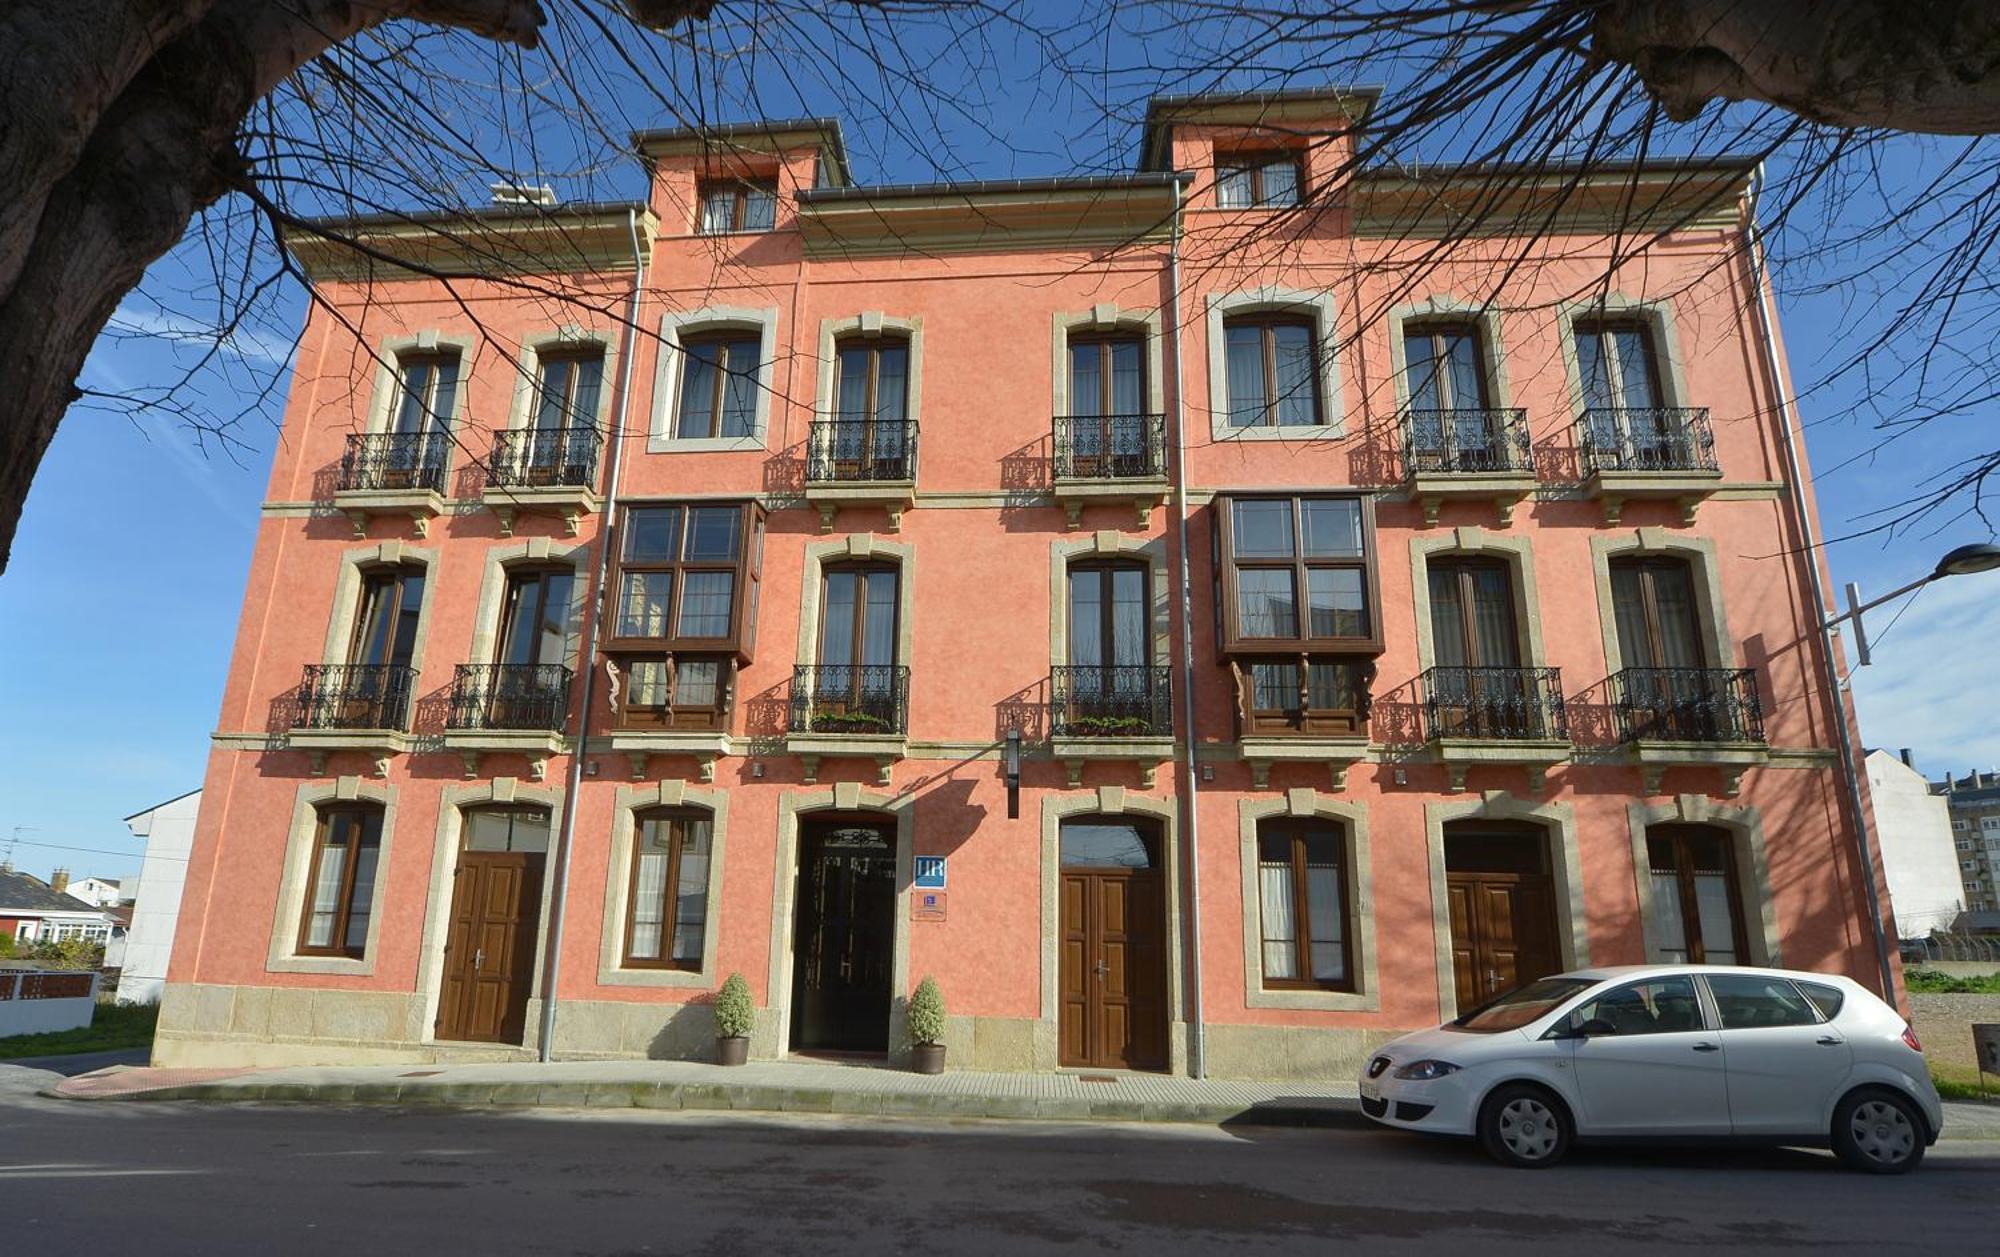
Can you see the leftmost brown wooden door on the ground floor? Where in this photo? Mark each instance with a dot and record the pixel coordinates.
(489, 952)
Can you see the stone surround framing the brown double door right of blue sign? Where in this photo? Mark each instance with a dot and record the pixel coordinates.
(1109, 802)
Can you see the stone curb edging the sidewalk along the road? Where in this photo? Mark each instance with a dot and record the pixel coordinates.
(751, 1100)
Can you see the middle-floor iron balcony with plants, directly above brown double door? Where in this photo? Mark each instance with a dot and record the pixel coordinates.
(1111, 714)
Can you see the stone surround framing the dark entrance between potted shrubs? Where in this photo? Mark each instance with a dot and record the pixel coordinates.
(841, 798)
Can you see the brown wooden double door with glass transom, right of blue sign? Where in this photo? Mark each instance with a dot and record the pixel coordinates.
(1113, 962)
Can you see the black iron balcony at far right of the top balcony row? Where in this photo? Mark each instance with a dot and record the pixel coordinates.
(1649, 453)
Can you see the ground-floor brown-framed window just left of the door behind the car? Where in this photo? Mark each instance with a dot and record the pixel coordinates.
(1305, 908)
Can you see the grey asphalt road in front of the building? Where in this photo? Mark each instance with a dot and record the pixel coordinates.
(167, 1180)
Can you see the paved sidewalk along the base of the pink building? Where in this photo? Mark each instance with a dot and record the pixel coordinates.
(765, 1086)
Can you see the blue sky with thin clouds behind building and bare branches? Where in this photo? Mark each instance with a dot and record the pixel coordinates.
(119, 609)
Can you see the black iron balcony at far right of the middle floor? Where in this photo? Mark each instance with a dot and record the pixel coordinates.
(1699, 718)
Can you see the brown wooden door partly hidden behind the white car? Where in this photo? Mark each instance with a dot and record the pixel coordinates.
(1503, 912)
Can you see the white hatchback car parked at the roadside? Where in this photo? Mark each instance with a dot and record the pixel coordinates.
(1667, 1052)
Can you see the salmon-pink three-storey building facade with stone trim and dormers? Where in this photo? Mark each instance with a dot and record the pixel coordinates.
(1135, 601)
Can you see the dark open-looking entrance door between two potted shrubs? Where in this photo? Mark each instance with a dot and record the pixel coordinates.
(845, 938)
